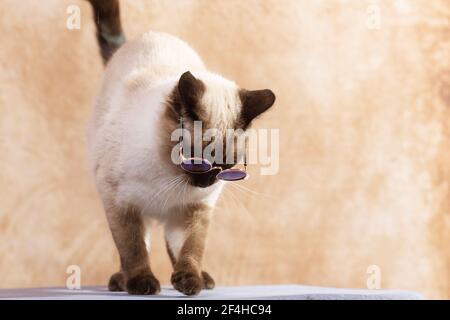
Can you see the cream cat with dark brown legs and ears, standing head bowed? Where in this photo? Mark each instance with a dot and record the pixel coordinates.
(148, 85)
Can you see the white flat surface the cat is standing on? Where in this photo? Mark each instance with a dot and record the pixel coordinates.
(275, 292)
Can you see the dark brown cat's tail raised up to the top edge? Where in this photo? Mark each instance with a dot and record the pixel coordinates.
(109, 27)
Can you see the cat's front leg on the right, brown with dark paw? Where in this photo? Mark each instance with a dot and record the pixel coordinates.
(186, 235)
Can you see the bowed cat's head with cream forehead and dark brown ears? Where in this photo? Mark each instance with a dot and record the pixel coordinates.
(220, 105)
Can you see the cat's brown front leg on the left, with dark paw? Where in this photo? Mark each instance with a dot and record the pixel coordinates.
(128, 232)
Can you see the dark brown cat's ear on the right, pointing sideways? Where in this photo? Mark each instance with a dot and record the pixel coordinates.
(255, 103)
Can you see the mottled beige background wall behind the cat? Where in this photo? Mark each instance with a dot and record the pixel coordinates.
(365, 148)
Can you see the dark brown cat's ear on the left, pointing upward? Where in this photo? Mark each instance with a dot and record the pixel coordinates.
(191, 90)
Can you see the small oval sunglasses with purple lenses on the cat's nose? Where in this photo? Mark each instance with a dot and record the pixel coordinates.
(201, 165)
